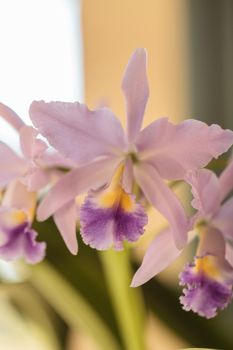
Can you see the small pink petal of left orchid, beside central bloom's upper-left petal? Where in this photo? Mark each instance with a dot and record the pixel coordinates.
(30, 145)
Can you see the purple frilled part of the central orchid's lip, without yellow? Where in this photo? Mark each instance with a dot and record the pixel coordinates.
(102, 228)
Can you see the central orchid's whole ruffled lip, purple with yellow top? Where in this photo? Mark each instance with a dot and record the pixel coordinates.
(104, 226)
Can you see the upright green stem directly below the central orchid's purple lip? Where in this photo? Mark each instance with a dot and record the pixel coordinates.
(127, 301)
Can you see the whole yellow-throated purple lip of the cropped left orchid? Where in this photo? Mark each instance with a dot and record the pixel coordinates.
(18, 239)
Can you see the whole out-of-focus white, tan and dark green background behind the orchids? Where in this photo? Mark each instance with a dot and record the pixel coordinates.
(70, 50)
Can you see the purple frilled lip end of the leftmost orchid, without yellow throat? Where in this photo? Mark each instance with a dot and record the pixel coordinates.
(20, 242)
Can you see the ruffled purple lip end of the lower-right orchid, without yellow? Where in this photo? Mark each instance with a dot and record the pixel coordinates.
(203, 295)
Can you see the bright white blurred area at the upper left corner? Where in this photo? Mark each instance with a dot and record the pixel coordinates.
(40, 55)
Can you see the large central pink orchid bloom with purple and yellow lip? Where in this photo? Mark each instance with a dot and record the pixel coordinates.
(96, 141)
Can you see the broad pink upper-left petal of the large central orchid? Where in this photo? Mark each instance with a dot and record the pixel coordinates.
(76, 132)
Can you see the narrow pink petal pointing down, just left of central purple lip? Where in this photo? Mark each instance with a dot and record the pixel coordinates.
(65, 219)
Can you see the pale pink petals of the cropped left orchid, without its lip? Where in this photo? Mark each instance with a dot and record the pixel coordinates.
(35, 169)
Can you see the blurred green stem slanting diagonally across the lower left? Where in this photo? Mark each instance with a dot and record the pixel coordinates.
(71, 306)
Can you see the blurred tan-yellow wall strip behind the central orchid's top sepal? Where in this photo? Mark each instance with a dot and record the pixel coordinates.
(113, 29)
